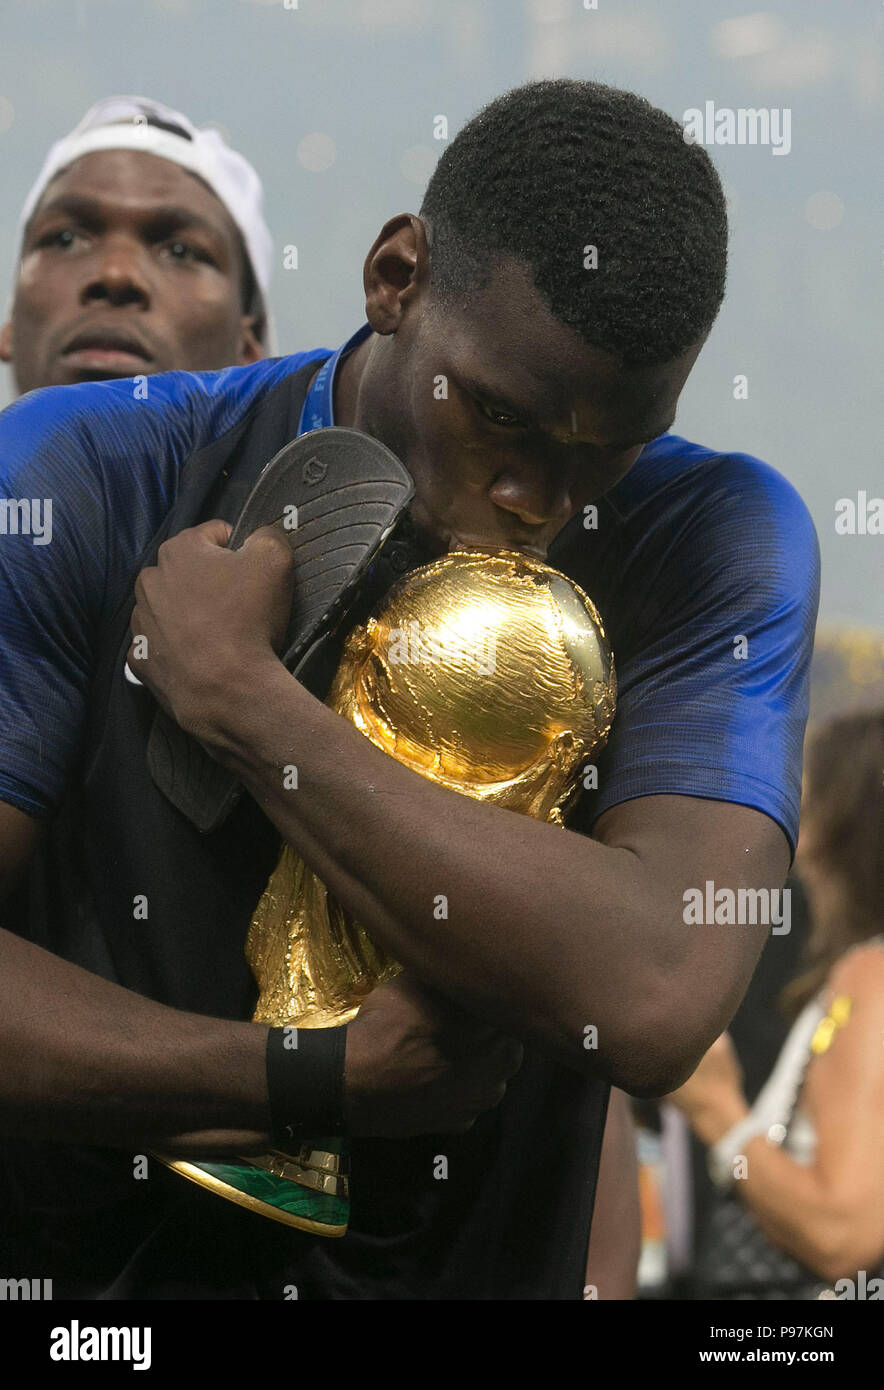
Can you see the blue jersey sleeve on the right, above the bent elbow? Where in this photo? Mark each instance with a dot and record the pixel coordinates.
(714, 687)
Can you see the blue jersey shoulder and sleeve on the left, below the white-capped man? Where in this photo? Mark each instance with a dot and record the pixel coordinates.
(87, 476)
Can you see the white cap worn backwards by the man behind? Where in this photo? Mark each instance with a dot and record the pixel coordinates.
(122, 123)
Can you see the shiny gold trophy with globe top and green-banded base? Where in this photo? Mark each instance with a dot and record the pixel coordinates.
(491, 675)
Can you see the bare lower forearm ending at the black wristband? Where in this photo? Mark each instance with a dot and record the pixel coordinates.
(87, 1061)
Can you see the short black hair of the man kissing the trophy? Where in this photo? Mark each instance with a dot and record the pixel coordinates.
(557, 166)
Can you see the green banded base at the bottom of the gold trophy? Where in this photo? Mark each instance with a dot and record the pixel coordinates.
(322, 1214)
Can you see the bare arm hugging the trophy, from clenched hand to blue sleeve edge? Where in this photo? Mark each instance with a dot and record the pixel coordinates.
(554, 936)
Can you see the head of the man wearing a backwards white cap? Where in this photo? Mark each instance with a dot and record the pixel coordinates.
(142, 250)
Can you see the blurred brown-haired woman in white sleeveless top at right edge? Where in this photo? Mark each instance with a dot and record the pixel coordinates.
(804, 1163)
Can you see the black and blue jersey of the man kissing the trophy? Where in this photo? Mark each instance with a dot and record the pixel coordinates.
(705, 571)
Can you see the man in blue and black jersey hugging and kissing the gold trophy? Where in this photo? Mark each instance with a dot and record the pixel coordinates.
(555, 379)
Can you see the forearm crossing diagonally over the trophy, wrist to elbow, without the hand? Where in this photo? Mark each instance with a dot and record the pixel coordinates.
(536, 929)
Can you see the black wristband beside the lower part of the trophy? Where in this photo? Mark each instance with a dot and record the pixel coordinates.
(305, 1084)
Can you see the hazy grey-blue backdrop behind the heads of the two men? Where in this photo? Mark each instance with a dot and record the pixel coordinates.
(803, 319)
